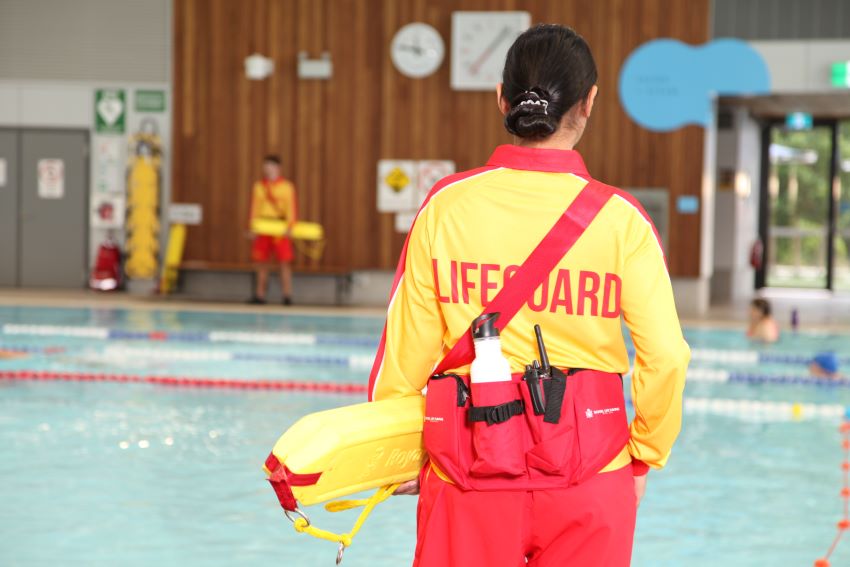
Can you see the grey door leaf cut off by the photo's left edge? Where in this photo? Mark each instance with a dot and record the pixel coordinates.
(8, 208)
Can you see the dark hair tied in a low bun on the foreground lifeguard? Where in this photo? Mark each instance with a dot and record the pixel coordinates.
(549, 68)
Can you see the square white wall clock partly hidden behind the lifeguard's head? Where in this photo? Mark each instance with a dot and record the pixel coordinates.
(480, 42)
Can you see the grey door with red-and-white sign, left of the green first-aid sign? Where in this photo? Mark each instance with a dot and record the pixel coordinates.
(54, 216)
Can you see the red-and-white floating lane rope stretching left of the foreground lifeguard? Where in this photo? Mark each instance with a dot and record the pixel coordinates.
(296, 385)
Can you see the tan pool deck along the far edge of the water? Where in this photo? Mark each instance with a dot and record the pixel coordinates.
(818, 310)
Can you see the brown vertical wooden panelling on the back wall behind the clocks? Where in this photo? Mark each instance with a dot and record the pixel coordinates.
(330, 134)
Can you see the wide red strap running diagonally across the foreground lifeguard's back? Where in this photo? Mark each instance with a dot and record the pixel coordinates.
(558, 241)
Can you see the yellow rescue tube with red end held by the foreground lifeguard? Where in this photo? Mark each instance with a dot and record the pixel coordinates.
(338, 452)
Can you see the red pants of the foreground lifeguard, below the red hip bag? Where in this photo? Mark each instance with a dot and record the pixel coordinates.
(588, 525)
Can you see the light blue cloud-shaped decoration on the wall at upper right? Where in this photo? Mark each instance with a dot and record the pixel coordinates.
(666, 84)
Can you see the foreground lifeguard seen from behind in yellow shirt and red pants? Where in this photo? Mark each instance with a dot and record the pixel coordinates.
(527, 265)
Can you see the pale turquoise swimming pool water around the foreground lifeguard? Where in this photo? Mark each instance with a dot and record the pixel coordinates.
(134, 474)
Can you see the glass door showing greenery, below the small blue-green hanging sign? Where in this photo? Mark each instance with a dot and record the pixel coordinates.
(798, 197)
